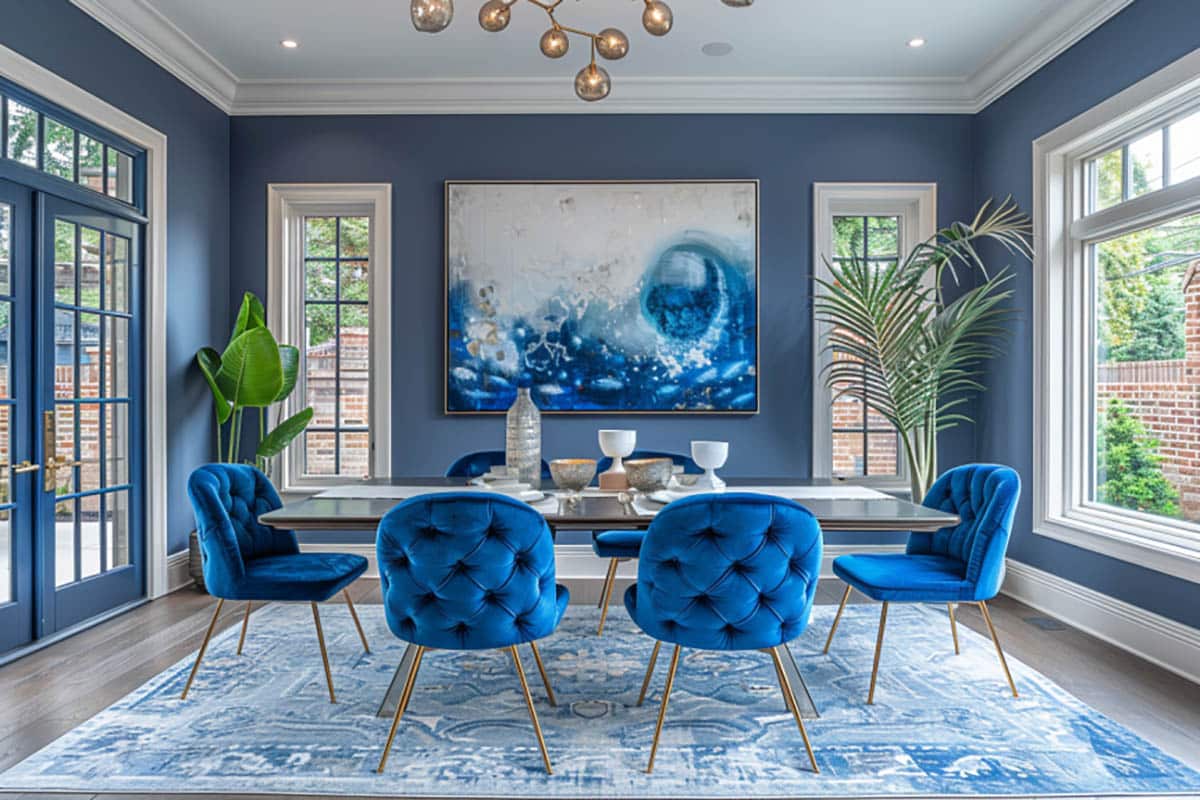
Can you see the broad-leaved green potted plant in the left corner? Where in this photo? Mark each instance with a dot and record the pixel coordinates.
(253, 374)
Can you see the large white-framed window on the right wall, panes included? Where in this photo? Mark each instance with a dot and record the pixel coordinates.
(1118, 336)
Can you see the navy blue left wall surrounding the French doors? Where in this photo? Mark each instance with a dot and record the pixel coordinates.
(63, 39)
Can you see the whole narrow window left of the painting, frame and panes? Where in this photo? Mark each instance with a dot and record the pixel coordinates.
(329, 294)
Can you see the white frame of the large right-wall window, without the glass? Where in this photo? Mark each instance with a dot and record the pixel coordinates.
(1064, 345)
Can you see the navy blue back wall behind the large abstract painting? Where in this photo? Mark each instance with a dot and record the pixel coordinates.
(417, 154)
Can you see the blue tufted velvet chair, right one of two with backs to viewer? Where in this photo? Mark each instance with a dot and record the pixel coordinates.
(727, 573)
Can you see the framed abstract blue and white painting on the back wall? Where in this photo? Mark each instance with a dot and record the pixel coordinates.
(603, 297)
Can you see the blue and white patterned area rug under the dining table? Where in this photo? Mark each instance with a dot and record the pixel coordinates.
(943, 725)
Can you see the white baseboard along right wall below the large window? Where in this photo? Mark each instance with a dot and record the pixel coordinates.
(1172, 646)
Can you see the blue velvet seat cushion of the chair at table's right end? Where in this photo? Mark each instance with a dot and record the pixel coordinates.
(905, 579)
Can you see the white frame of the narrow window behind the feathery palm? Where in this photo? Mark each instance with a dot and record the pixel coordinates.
(916, 204)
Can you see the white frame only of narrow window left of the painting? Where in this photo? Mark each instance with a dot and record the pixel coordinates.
(289, 204)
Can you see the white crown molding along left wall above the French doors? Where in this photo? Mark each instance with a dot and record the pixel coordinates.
(143, 27)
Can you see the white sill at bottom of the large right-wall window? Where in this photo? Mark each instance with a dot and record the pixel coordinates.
(1160, 548)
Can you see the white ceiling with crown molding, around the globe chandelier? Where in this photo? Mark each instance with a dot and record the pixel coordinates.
(364, 56)
